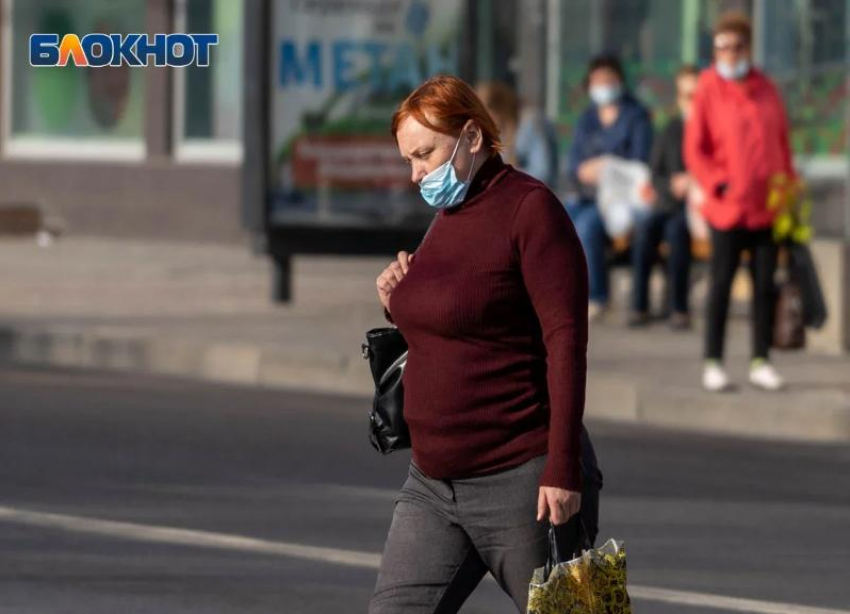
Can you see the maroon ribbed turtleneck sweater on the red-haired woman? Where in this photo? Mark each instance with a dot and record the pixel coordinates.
(494, 310)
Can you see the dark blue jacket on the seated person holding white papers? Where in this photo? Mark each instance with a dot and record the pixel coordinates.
(630, 137)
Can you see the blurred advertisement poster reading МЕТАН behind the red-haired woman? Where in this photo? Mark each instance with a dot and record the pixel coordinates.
(340, 68)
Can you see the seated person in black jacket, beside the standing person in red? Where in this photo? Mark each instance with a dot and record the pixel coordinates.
(667, 221)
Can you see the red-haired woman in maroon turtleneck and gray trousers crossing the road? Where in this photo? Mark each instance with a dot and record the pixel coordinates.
(494, 310)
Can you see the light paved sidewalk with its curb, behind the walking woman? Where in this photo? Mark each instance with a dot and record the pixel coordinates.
(203, 311)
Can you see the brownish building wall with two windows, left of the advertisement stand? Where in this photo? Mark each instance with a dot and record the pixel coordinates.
(119, 151)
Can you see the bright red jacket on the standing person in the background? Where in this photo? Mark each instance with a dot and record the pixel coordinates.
(737, 135)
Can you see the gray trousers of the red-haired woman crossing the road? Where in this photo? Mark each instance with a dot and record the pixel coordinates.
(447, 534)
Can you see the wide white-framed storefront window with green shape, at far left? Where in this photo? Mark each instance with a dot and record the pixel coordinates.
(72, 110)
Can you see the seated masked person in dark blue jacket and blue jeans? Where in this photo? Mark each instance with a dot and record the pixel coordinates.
(615, 124)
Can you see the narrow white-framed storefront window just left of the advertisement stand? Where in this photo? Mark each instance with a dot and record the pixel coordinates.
(209, 99)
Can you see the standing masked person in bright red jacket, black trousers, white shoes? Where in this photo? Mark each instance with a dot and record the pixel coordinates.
(736, 144)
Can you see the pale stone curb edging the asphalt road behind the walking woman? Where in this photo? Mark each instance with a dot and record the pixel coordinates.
(821, 416)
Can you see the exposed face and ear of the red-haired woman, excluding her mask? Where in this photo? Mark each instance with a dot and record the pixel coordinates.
(424, 149)
